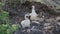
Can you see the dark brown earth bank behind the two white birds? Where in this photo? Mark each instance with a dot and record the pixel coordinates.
(17, 13)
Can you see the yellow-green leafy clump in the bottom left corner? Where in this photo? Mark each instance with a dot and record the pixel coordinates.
(8, 29)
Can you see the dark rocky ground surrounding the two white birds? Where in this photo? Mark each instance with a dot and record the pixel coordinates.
(50, 24)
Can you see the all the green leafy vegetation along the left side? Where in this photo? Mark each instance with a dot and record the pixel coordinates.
(5, 25)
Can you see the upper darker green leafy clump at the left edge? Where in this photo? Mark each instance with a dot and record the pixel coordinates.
(4, 17)
